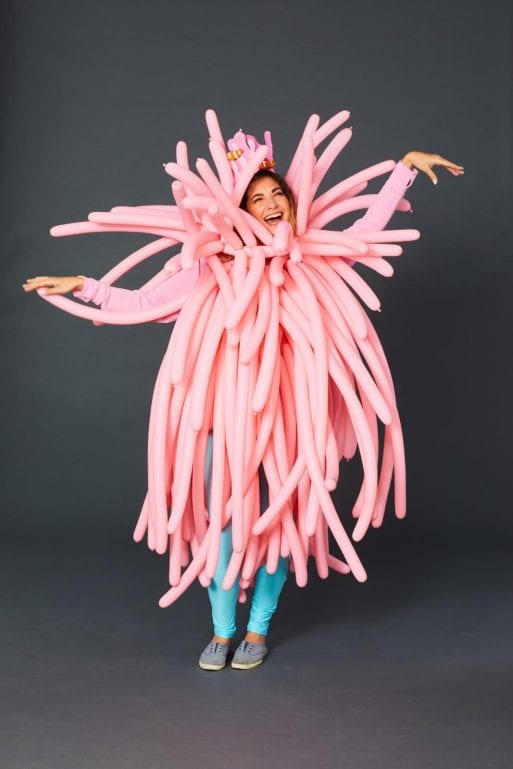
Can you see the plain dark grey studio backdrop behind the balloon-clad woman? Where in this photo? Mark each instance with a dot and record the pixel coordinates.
(95, 96)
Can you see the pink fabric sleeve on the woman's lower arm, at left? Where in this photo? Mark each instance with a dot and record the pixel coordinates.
(125, 300)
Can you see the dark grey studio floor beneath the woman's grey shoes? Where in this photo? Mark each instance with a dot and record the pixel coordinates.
(412, 670)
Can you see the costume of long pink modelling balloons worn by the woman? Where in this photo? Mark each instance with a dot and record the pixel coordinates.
(273, 355)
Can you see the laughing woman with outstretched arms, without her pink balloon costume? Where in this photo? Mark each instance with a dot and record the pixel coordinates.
(269, 199)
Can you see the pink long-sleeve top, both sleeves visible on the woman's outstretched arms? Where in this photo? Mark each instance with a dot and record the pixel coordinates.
(179, 285)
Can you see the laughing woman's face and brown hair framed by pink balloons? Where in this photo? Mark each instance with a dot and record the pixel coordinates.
(270, 199)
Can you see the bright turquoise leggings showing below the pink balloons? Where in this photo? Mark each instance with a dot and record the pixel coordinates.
(267, 586)
